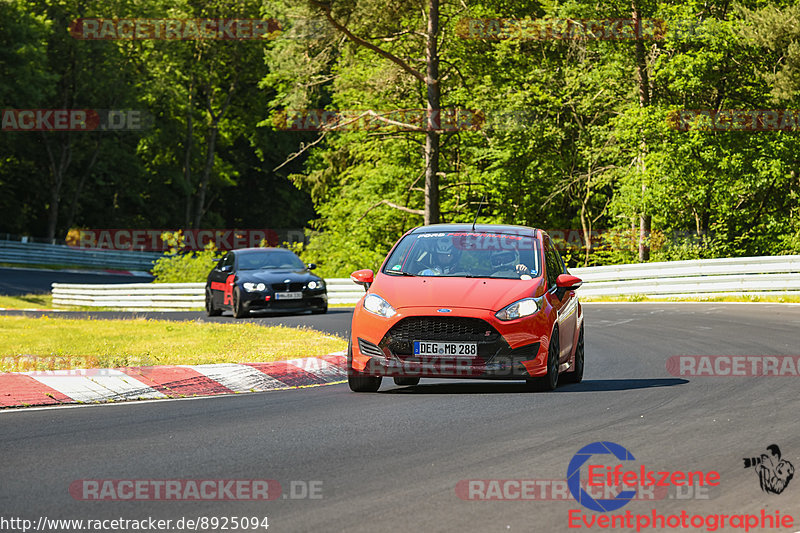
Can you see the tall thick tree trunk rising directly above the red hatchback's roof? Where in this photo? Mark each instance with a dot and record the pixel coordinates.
(434, 117)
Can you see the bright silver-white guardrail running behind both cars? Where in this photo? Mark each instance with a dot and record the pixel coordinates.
(741, 276)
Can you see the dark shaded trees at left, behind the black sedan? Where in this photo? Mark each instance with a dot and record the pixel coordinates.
(202, 163)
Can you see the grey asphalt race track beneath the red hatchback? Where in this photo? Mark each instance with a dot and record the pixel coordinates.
(391, 461)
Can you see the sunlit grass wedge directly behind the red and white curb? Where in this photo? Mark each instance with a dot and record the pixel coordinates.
(49, 343)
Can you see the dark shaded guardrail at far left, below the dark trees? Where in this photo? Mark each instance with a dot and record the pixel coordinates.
(15, 252)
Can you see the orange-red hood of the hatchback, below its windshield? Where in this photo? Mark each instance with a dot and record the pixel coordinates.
(475, 293)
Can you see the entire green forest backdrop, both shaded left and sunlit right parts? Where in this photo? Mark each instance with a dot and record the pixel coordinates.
(568, 141)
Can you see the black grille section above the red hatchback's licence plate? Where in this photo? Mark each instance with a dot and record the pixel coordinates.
(458, 329)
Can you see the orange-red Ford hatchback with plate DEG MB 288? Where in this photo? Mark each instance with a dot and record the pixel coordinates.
(465, 301)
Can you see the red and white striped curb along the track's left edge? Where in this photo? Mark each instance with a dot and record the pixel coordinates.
(53, 387)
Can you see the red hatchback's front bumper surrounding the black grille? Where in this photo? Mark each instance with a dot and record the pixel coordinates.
(515, 349)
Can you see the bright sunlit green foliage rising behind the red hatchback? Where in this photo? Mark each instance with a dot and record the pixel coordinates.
(568, 143)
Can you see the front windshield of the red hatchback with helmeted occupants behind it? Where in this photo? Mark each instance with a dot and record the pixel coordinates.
(466, 254)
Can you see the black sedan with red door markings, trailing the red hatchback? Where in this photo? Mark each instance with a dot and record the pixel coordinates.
(268, 279)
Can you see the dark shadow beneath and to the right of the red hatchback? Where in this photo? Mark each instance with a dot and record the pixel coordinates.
(508, 387)
